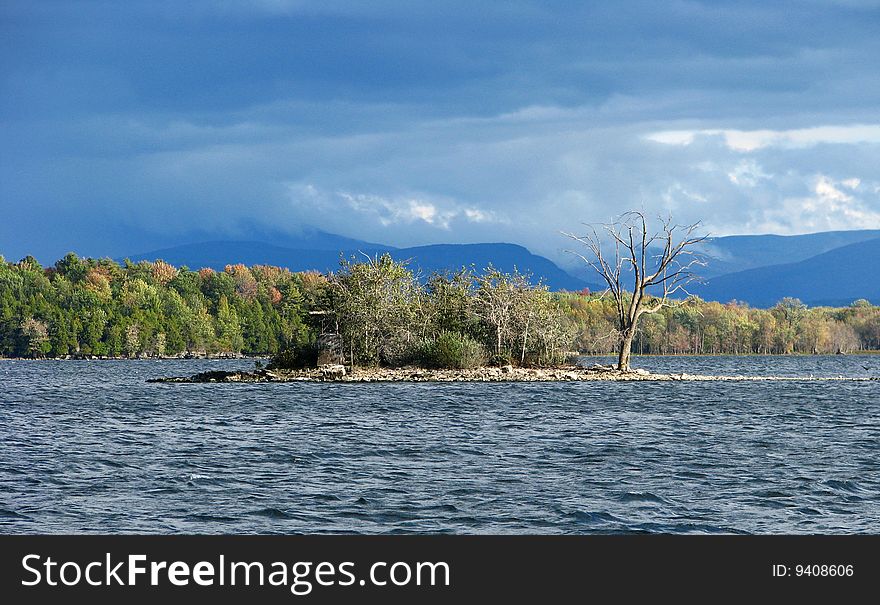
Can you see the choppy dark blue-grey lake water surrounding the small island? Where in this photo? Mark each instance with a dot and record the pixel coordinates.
(91, 447)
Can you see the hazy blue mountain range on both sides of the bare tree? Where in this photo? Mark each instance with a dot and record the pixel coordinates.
(820, 268)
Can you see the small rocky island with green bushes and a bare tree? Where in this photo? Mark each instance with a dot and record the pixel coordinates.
(377, 321)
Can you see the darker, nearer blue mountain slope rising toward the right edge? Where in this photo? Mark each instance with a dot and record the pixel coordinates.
(836, 277)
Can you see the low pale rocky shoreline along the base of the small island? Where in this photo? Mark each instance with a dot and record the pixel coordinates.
(336, 373)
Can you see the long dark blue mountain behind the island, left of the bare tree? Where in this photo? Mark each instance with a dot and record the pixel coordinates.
(218, 254)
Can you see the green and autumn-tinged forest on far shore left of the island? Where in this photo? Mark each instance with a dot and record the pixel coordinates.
(88, 307)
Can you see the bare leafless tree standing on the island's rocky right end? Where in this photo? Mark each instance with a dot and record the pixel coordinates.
(661, 262)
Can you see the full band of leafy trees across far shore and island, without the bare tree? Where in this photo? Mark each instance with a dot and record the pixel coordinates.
(385, 313)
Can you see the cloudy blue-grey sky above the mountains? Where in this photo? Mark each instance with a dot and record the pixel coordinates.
(128, 126)
